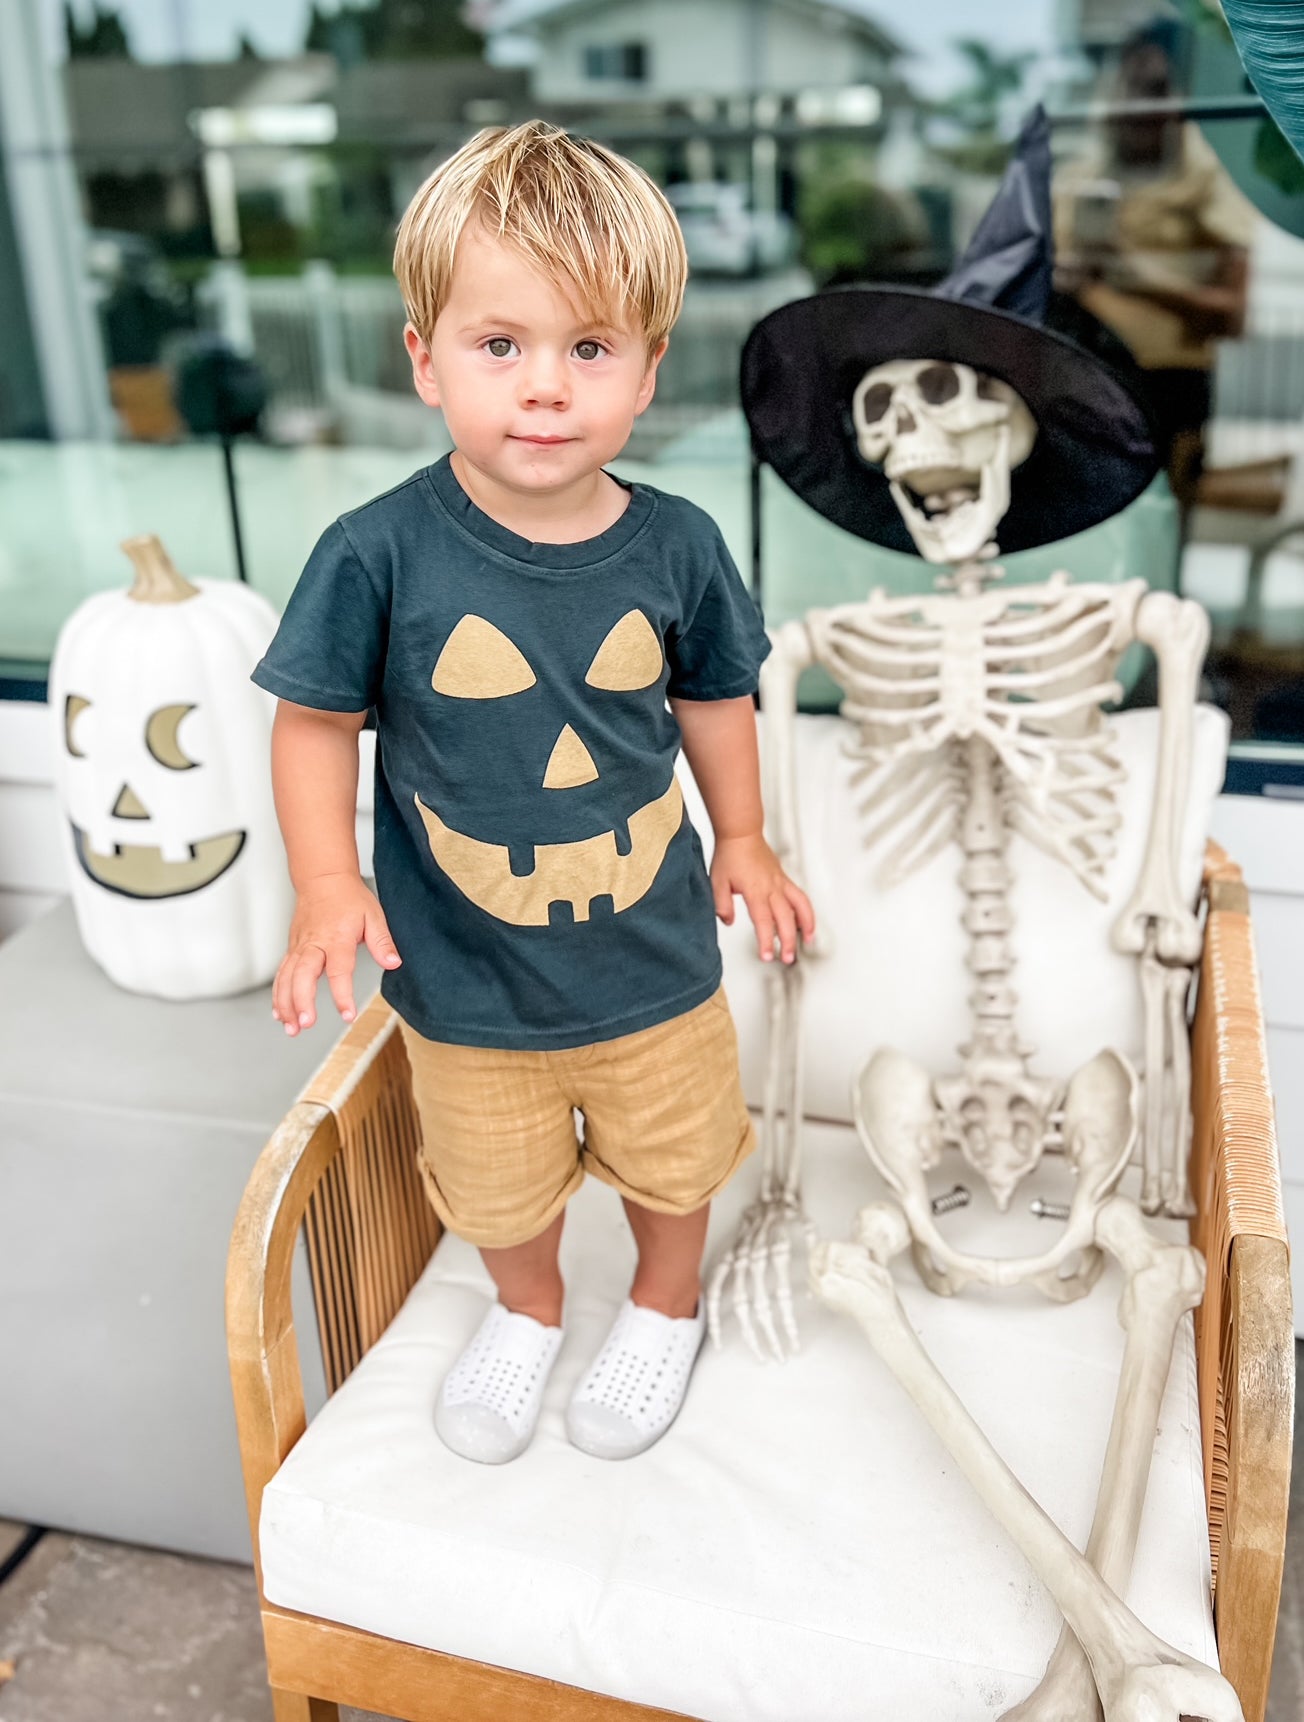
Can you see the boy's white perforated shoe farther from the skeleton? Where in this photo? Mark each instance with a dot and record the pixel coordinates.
(490, 1401)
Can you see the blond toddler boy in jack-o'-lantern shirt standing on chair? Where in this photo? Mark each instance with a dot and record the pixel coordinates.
(519, 621)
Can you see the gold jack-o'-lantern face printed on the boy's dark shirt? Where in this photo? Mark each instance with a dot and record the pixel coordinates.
(481, 664)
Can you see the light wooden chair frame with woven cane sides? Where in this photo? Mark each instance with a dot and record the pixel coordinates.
(342, 1167)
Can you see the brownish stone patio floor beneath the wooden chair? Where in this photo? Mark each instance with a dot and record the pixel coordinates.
(109, 1633)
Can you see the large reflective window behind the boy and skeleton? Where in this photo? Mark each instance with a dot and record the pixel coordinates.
(228, 177)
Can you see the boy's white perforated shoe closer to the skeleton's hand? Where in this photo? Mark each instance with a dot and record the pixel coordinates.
(638, 1382)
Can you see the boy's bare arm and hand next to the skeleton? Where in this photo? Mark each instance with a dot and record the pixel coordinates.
(721, 750)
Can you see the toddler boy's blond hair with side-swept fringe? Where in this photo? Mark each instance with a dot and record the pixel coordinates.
(585, 216)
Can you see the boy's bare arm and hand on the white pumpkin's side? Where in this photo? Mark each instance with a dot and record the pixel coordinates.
(316, 788)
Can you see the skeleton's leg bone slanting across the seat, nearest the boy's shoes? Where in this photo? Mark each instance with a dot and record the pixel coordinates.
(1138, 1676)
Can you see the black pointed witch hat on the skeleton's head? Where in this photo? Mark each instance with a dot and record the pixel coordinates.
(1095, 449)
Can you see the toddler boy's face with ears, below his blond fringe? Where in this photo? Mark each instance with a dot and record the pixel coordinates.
(535, 395)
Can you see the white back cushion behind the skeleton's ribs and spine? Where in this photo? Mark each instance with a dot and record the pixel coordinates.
(895, 967)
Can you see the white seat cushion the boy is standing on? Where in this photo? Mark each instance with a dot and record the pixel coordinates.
(800, 1545)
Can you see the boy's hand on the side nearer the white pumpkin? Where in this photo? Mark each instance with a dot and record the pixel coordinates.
(333, 917)
